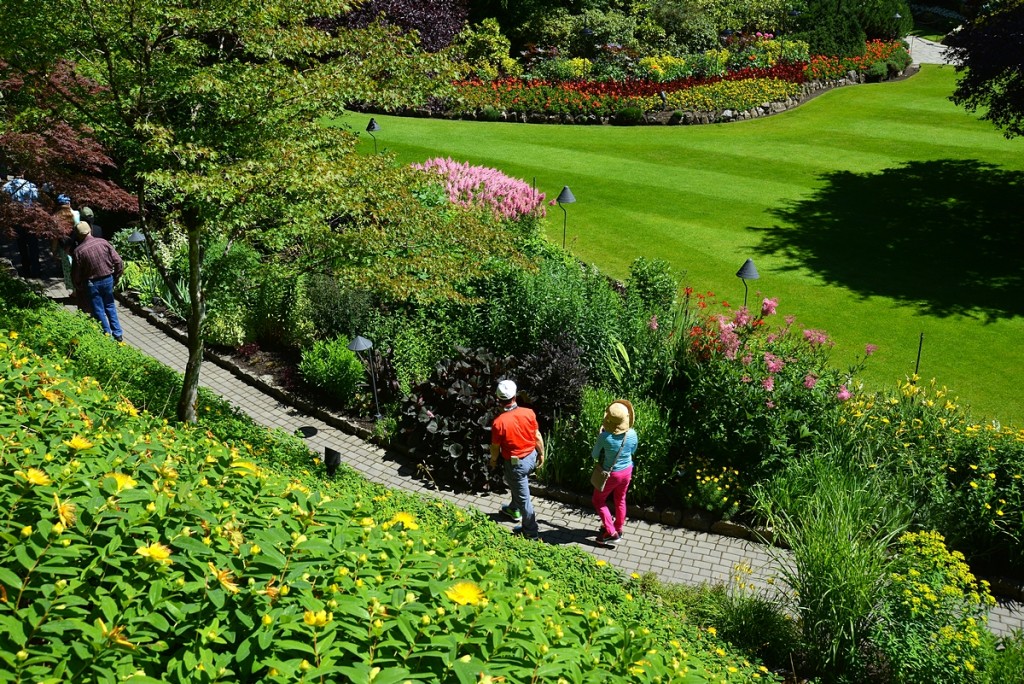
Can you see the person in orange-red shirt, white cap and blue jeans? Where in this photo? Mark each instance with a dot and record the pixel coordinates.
(517, 439)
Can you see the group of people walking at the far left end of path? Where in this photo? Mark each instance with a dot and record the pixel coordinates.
(90, 265)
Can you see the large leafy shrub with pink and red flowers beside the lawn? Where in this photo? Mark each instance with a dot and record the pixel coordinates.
(752, 391)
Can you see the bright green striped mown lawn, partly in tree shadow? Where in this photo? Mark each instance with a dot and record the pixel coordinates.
(877, 212)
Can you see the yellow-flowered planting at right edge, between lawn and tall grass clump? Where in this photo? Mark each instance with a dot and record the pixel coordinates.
(966, 480)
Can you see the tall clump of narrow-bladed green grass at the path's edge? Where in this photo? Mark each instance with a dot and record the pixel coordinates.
(840, 526)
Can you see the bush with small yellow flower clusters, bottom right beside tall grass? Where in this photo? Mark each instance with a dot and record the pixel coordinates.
(930, 626)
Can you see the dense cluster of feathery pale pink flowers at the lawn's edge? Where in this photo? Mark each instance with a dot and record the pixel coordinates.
(470, 186)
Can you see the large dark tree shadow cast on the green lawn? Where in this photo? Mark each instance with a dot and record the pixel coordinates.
(945, 237)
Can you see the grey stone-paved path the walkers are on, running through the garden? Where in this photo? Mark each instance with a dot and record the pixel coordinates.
(676, 555)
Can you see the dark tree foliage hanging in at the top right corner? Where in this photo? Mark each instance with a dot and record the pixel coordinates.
(989, 53)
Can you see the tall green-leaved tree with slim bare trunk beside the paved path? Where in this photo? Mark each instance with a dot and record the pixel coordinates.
(214, 111)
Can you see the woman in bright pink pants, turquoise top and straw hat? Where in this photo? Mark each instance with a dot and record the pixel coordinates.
(614, 450)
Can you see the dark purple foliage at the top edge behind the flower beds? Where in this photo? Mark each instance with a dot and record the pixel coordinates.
(437, 21)
